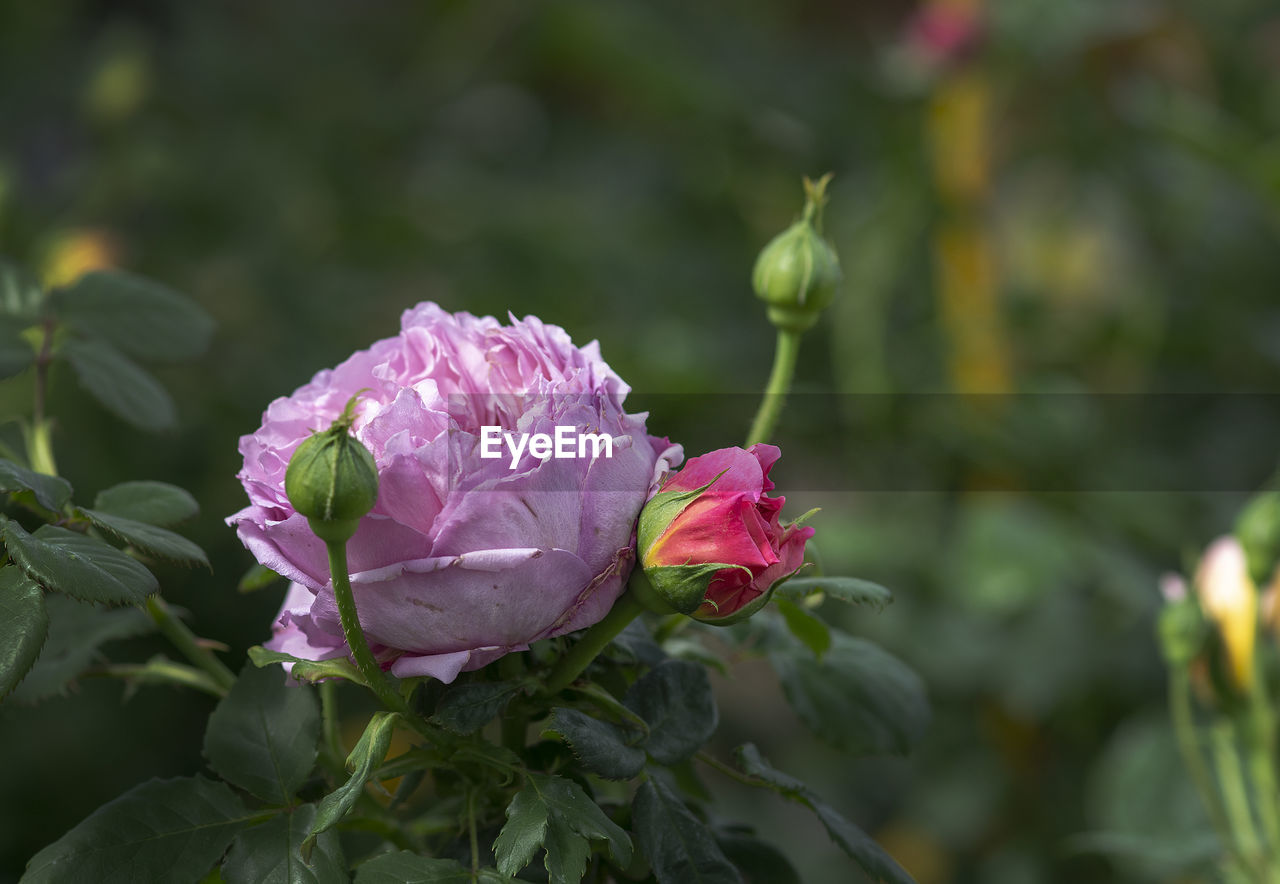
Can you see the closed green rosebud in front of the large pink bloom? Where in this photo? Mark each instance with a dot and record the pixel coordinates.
(332, 480)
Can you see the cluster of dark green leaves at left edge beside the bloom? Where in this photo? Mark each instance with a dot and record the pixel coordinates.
(74, 576)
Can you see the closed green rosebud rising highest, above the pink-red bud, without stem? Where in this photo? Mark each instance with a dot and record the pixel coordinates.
(798, 273)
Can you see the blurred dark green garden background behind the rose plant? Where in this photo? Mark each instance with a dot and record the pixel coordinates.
(1031, 196)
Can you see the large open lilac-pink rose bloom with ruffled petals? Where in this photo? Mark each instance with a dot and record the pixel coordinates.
(464, 558)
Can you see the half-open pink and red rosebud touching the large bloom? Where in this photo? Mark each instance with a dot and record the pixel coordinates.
(711, 541)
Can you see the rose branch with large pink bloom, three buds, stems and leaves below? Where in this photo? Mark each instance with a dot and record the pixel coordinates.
(495, 589)
